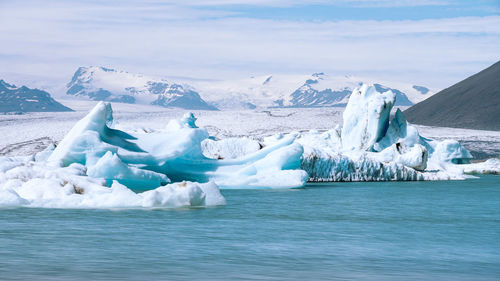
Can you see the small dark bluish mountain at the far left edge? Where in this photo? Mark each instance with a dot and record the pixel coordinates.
(24, 99)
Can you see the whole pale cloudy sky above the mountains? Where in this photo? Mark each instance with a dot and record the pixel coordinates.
(434, 43)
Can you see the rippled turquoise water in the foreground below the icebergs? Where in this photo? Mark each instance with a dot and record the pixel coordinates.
(362, 231)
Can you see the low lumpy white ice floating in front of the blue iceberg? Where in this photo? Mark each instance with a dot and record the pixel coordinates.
(36, 184)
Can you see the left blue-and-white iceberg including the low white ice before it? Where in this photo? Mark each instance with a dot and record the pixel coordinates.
(97, 165)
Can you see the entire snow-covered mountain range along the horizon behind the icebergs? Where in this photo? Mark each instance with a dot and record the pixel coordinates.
(316, 90)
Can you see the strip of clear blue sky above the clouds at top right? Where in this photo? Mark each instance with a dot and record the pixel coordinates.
(365, 10)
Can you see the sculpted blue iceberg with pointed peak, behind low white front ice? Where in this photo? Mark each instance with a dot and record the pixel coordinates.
(143, 160)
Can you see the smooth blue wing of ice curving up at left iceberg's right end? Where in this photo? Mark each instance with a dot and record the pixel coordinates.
(241, 172)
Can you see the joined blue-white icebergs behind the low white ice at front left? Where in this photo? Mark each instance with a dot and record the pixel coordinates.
(369, 147)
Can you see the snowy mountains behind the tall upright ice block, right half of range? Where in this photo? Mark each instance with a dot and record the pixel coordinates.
(316, 90)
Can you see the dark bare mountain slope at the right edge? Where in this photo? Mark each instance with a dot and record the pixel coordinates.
(472, 103)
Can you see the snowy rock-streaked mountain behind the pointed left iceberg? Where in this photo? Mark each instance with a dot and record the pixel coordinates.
(105, 84)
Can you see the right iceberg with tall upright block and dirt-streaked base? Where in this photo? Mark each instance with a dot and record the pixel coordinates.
(371, 147)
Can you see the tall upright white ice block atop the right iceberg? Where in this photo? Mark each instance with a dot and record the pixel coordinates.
(366, 117)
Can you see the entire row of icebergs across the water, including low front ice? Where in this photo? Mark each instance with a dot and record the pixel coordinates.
(99, 164)
